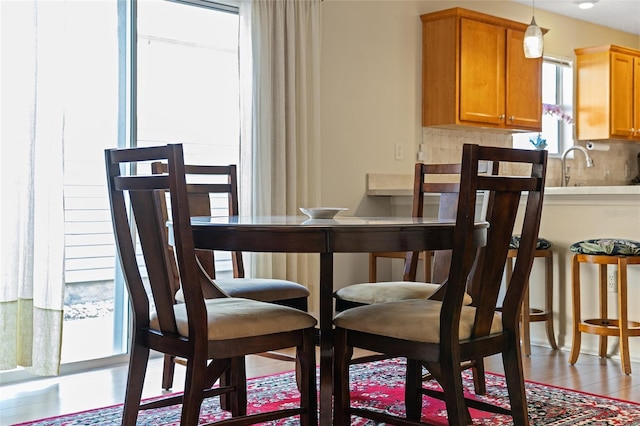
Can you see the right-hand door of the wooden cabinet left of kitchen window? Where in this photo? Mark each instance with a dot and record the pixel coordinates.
(524, 85)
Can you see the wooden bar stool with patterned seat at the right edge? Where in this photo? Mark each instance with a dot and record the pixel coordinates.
(604, 252)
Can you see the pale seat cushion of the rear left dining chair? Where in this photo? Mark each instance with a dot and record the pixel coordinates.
(263, 289)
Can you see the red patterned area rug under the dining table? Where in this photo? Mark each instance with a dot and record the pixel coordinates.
(380, 385)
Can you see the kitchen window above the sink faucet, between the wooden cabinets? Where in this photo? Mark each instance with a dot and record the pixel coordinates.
(557, 100)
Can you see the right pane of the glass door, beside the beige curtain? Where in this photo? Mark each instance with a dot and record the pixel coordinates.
(188, 87)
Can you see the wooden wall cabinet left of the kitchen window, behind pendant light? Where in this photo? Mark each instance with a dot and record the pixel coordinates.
(475, 73)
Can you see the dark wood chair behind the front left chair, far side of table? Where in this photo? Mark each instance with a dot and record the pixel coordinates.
(213, 190)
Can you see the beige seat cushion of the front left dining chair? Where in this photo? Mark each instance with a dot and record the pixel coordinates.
(232, 318)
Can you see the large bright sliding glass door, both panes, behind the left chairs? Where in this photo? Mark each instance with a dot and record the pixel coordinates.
(186, 91)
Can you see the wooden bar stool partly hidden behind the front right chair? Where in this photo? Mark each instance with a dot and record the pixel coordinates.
(529, 314)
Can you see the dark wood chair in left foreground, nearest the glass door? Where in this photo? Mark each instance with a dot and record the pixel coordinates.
(211, 331)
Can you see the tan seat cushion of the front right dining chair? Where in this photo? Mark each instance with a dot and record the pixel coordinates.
(415, 320)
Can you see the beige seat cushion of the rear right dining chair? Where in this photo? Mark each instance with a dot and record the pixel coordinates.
(369, 293)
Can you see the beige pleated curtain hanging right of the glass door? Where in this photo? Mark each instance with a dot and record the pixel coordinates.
(280, 70)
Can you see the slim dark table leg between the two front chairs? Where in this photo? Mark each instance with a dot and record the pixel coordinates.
(326, 339)
